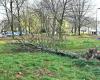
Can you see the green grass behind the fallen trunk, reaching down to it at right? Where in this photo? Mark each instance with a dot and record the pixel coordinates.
(78, 44)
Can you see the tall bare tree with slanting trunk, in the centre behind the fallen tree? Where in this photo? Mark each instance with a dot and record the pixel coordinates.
(57, 10)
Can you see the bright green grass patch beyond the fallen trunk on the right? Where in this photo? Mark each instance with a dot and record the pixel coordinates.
(73, 43)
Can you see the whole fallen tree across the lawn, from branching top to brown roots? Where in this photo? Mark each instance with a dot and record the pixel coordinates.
(92, 53)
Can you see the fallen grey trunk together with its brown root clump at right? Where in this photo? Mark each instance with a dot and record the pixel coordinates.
(91, 54)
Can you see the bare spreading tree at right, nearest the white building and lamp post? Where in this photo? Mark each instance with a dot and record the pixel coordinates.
(78, 13)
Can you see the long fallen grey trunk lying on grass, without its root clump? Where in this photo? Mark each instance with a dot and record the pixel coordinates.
(30, 47)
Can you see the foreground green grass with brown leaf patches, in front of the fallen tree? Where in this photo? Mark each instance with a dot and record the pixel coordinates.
(43, 66)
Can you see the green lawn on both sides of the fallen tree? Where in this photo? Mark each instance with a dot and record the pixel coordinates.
(16, 65)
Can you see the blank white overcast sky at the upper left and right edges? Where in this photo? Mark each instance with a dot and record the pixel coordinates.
(95, 2)
